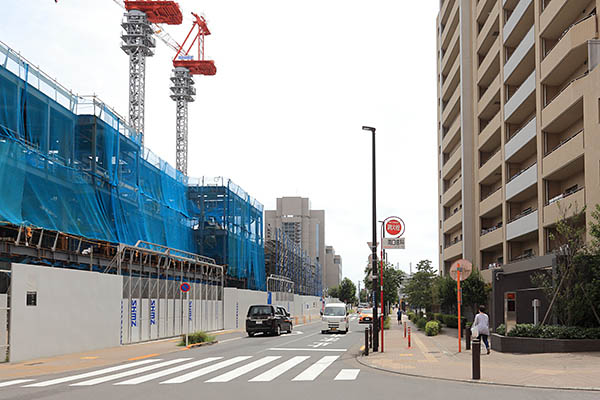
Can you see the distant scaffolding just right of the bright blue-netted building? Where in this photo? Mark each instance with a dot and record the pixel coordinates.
(286, 259)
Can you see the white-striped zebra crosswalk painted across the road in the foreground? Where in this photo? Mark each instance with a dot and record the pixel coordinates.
(303, 368)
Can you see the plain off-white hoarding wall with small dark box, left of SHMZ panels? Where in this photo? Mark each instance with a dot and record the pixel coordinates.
(68, 317)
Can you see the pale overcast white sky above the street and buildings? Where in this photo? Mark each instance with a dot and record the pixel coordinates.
(295, 82)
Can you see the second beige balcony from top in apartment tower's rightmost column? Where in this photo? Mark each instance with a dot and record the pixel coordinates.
(569, 53)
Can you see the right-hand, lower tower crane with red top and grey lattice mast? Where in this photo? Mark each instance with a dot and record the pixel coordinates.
(183, 91)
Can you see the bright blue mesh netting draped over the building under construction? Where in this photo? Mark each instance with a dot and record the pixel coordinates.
(70, 164)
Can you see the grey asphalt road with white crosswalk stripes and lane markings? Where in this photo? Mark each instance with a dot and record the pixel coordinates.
(299, 366)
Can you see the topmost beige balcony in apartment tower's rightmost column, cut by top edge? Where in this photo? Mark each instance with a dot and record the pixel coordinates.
(558, 15)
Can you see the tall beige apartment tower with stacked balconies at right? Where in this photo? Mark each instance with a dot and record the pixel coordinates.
(518, 125)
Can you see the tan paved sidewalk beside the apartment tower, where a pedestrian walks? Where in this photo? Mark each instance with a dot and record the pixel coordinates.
(438, 357)
